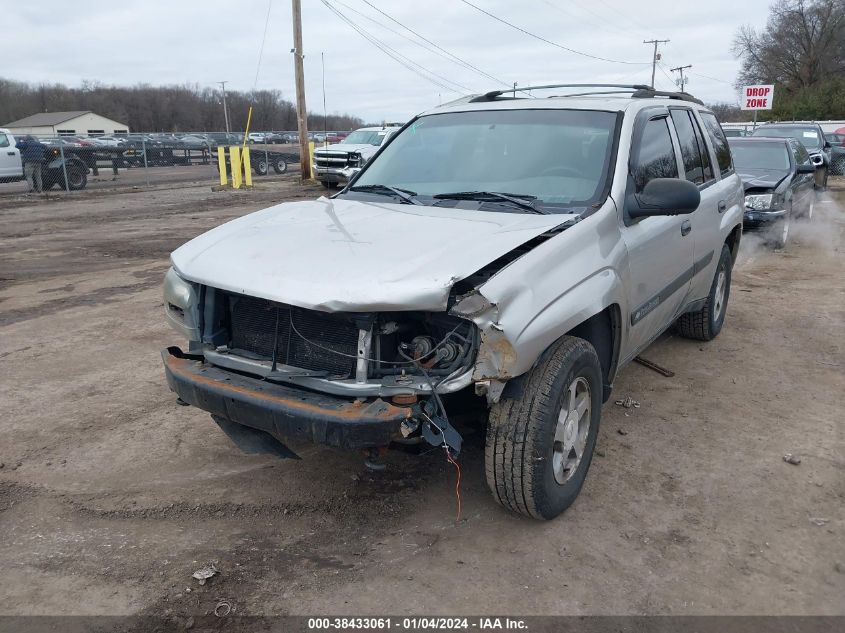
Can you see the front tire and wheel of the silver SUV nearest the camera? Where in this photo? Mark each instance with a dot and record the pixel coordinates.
(540, 443)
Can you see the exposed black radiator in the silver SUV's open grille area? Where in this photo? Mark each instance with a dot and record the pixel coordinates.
(301, 338)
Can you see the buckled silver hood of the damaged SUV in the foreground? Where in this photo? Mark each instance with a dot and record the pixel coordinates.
(344, 255)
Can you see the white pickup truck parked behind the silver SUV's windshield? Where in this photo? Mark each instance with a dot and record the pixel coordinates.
(338, 163)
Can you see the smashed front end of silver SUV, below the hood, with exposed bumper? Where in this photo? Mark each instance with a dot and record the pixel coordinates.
(346, 379)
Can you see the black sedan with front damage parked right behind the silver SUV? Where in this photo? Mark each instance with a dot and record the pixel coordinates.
(778, 177)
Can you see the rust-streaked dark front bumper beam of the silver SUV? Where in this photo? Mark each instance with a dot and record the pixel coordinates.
(282, 411)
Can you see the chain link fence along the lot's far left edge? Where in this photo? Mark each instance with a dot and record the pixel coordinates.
(66, 162)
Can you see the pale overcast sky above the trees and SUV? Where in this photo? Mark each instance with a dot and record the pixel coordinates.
(205, 41)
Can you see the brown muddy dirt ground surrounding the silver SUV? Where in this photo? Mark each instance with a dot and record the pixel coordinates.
(111, 495)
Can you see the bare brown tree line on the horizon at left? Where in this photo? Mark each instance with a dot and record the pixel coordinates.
(146, 108)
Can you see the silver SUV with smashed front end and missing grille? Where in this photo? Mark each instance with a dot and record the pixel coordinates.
(499, 260)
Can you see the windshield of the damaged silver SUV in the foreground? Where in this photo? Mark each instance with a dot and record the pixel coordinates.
(559, 157)
